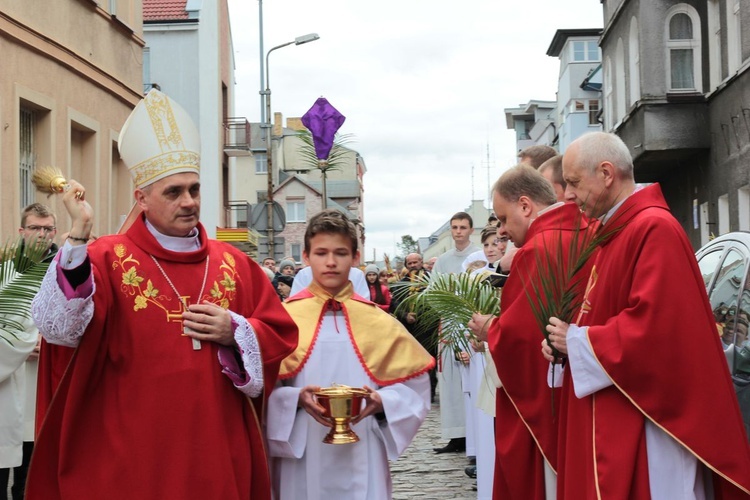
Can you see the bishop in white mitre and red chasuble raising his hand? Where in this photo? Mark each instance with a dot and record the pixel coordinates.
(178, 340)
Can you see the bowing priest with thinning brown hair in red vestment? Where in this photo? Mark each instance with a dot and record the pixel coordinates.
(525, 421)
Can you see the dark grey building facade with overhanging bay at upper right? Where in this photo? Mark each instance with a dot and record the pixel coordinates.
(698, 151)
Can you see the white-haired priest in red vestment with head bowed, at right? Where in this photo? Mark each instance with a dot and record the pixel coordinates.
(648, 408)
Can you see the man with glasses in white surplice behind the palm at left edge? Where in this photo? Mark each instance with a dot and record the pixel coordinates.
(18, 369)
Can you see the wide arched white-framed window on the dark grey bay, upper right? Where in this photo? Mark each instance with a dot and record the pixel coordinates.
(683, 49)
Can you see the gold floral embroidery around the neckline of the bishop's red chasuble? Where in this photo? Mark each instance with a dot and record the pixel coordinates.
(135, 283)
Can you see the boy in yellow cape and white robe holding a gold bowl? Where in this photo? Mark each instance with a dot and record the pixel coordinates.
(348, 340)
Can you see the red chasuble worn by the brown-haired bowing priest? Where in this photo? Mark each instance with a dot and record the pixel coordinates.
(525, 422)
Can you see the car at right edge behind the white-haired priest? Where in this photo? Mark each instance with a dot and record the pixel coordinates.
(724, 263)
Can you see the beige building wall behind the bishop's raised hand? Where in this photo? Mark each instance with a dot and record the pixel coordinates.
(79, 70)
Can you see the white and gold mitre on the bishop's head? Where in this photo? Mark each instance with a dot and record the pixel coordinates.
(159, 139)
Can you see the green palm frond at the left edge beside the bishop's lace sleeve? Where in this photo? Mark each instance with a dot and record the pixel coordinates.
(22, 268)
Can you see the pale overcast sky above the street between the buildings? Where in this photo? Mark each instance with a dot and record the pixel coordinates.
(422, 83)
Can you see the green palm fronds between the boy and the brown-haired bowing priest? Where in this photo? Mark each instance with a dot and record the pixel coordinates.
(448, 300)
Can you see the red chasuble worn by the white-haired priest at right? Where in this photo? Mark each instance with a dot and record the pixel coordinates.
(652, 331)
